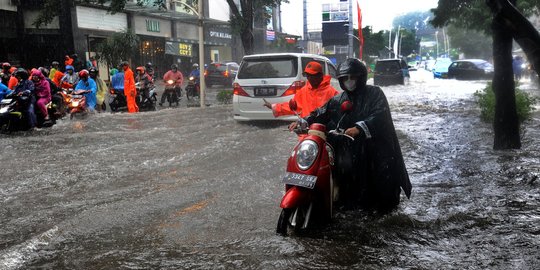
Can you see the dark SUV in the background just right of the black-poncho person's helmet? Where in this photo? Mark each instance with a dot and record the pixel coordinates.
(391, 71)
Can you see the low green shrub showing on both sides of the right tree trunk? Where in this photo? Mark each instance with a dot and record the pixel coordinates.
(486, 101)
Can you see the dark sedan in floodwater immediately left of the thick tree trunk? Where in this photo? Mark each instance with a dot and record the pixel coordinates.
(471, 69)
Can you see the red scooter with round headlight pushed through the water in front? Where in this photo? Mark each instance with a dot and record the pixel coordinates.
(310, 188)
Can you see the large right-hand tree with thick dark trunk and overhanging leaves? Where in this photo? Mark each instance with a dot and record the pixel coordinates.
(500, 19)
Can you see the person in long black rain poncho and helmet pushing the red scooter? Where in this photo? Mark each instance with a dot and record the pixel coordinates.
(372, 165)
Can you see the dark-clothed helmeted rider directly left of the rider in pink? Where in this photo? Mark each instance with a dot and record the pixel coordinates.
(25, 87)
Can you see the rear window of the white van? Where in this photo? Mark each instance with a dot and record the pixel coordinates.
(268, 67)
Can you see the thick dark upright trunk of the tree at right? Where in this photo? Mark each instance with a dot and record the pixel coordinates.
(506, 123)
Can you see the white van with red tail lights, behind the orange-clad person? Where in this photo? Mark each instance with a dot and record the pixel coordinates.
(275, 77)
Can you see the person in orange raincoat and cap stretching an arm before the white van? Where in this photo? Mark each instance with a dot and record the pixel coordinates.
(315, 93)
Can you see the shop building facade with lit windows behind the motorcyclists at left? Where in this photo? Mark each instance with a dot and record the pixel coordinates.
(166, 36)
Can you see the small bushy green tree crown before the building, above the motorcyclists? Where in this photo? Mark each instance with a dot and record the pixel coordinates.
(117, 47)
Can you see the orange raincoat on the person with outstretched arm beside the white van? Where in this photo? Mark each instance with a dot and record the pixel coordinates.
(307, 99)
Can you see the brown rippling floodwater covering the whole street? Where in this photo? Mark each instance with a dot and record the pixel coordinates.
(190, 188)
